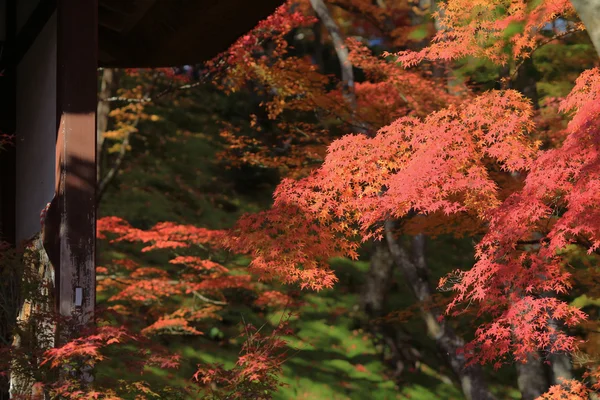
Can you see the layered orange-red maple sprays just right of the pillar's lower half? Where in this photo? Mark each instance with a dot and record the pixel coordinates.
(154, 289)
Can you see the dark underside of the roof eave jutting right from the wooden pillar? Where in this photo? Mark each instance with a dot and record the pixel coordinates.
(153, 33)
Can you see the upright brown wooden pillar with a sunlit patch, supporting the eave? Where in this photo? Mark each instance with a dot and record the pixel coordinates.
(75, 200)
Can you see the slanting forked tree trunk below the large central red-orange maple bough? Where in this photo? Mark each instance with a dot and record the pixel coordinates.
(414, 268)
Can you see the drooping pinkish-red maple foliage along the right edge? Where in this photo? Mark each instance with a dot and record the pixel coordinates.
(558, 202)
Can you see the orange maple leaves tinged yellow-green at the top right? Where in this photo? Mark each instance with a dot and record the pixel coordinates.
(479, 28)
